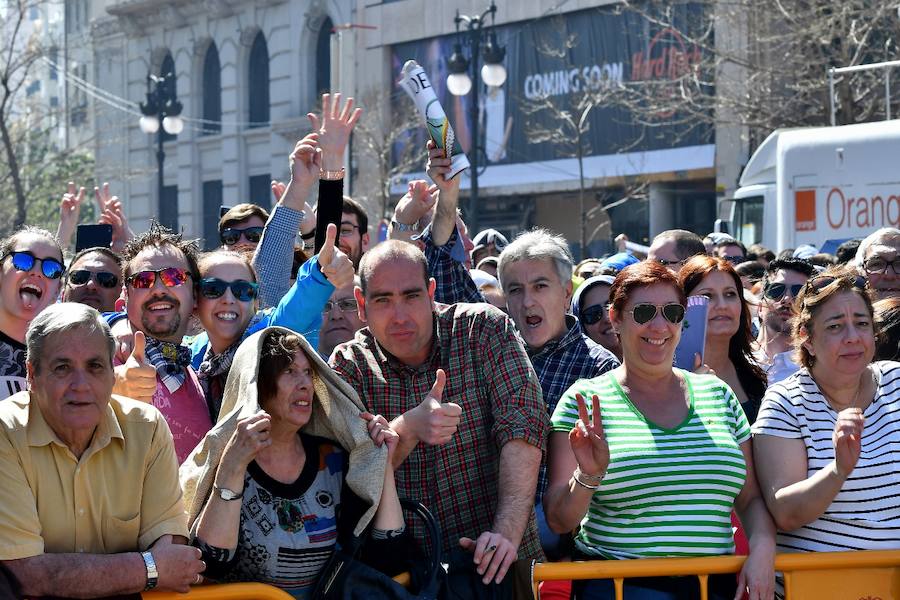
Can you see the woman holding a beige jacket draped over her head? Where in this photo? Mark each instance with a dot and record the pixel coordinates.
(289, 470)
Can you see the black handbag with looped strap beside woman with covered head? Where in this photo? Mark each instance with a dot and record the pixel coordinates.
(345, 577)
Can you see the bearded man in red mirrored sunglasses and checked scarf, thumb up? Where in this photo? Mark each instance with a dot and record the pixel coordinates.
(161, 277)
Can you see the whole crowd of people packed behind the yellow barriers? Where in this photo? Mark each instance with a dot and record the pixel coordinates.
(172, 417)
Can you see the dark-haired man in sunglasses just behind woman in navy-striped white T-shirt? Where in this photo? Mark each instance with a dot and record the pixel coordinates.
(782, 282)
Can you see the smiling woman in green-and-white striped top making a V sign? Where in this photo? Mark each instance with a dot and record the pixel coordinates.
(648, 460)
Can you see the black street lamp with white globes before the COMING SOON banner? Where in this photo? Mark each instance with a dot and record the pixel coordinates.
(460, 83)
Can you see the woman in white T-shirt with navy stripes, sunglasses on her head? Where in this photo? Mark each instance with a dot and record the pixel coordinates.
(827, 439)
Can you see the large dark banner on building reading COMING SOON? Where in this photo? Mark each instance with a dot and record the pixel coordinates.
(557, 58)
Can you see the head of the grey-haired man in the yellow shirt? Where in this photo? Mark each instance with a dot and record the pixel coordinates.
(73, 383)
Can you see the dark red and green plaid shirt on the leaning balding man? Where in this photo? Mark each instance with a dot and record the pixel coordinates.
(490, 377)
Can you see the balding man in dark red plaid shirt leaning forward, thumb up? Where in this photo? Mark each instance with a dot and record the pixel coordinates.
(458, 388)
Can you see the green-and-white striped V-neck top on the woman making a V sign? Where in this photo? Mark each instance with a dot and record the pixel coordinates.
(667, 492)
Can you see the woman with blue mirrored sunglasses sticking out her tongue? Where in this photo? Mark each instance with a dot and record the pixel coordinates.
(31, 271)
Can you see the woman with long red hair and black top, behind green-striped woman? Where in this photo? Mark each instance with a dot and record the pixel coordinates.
(728, 351)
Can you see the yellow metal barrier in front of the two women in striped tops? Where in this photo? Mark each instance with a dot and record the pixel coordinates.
(870, 575)
